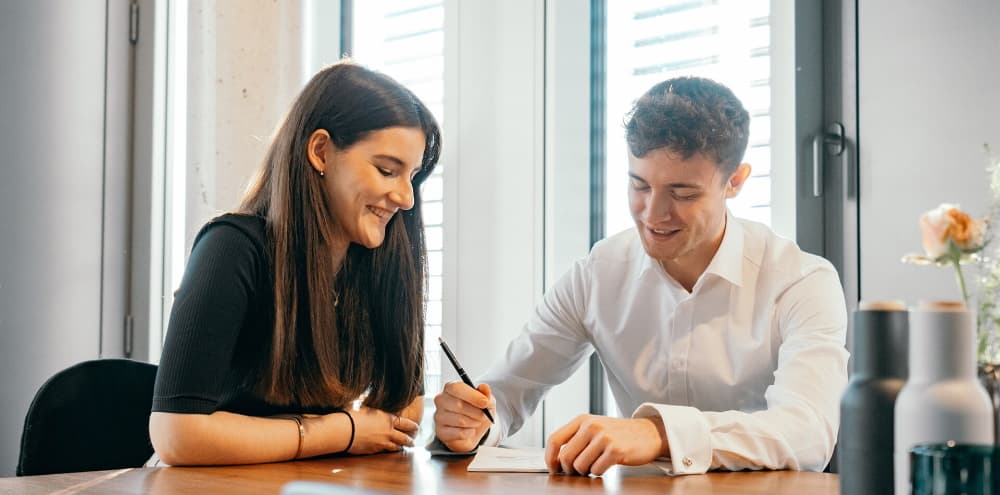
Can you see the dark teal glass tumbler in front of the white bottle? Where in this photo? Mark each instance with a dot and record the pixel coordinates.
(955, 469)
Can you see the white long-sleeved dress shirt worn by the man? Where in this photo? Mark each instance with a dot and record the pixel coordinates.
(746, 370)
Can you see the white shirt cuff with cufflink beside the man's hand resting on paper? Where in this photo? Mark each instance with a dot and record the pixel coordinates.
(687, 436)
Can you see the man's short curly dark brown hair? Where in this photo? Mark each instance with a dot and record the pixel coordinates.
(689, 116)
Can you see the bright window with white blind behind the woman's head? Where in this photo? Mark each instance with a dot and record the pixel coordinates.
(405, 40)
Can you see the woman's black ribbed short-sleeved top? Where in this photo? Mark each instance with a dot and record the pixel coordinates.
(221, 325)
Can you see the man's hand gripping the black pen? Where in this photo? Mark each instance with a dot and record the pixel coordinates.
(460, 422)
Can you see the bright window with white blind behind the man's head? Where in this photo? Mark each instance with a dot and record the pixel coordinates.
(649, 41)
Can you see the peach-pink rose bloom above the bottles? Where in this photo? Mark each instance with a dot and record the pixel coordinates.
(948, 221)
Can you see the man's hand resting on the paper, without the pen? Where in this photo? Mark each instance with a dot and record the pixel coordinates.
(593, 444)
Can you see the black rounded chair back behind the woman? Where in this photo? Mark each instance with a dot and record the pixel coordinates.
(89, 417)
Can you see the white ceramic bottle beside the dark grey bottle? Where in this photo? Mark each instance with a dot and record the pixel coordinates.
(942, 399)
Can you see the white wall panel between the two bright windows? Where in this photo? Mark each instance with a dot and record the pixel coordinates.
(493, 155)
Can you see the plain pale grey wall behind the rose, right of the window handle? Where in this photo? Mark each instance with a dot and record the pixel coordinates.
(928, 99)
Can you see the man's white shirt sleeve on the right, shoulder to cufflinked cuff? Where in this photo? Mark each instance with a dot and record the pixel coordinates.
(798, 429)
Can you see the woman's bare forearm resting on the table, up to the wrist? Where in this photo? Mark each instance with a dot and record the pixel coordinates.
(228, 438)
